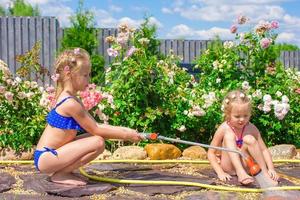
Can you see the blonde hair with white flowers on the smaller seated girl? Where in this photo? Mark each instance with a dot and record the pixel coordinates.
(235, 96)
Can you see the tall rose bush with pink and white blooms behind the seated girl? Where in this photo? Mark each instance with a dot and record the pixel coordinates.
(249, 63)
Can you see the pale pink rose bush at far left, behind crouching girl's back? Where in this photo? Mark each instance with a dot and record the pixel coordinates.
(22, 119)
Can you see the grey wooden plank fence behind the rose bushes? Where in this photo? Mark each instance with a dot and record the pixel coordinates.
(19, 34)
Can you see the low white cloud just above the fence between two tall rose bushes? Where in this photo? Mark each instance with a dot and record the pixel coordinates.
(184, 31)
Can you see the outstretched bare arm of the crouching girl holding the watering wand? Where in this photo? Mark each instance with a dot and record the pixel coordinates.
(88, 123)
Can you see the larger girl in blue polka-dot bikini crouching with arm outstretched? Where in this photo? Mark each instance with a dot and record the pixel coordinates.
(59, 151)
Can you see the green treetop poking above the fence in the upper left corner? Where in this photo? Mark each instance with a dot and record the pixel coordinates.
(21, 8)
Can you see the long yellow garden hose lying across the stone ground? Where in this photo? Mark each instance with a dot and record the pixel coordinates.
(151, 182)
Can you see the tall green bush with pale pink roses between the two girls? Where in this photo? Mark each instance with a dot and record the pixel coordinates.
(148, 94)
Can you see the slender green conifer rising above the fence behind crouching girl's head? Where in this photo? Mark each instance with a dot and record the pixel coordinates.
(83, 33)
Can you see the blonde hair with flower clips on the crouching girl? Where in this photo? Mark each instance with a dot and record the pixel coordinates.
(68, 60)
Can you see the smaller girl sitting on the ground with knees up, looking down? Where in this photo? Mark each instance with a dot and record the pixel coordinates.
(237, 132)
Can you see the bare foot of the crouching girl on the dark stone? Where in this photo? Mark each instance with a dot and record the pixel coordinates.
(67, 179)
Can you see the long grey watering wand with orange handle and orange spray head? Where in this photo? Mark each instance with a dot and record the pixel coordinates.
(254, 168)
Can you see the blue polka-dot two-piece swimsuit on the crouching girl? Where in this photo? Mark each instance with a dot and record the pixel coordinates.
(58, 121)
